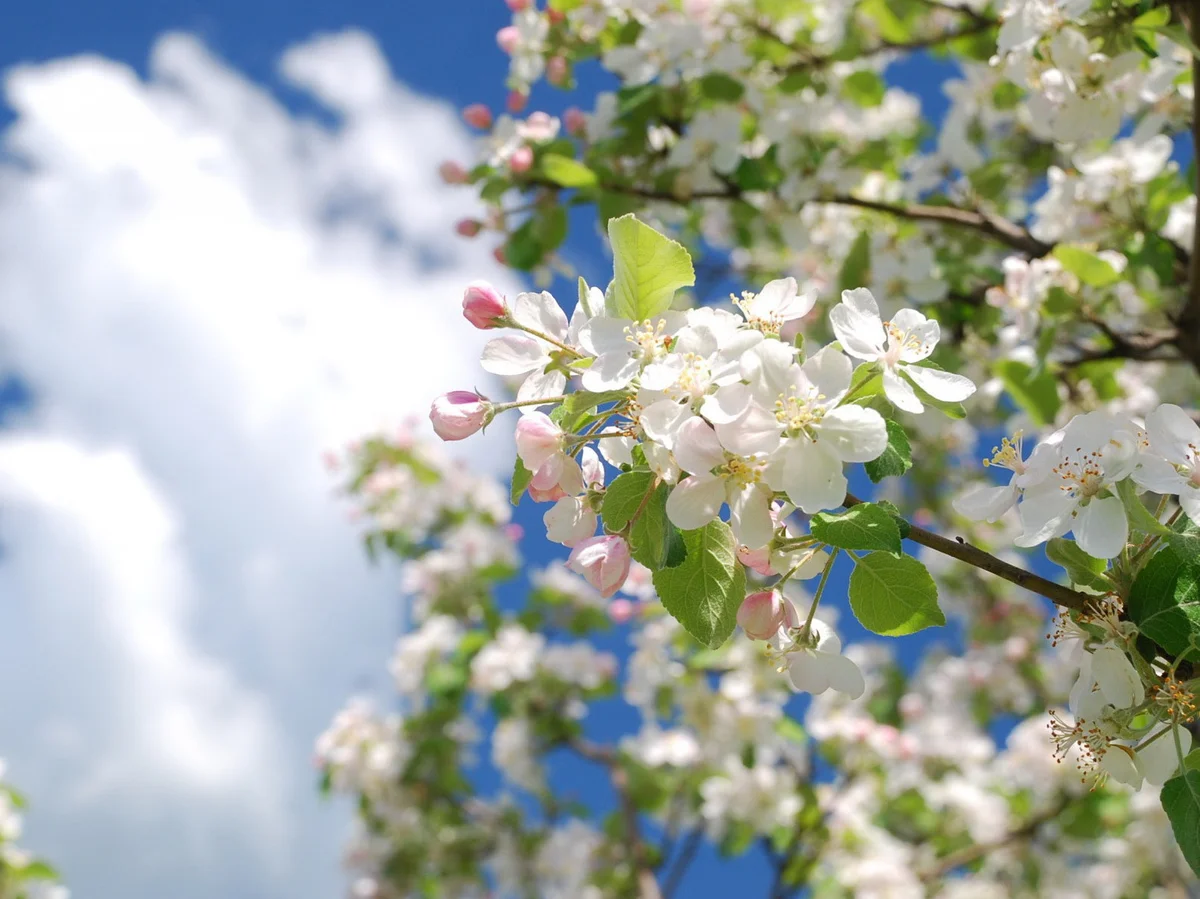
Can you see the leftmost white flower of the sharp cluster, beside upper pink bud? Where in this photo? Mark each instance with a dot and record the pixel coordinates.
(524, 355)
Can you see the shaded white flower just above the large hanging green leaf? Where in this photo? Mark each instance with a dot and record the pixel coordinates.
(718, 478)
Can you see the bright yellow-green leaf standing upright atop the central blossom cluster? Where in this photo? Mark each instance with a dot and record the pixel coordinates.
(649, 268)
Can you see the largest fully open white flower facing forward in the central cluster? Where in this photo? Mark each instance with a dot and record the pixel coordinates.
(793, 417)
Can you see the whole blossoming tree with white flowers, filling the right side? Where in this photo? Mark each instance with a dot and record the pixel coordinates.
(1025, 265)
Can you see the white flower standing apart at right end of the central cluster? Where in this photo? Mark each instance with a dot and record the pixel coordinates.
(897, 345)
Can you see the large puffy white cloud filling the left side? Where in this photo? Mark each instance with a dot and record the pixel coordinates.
(203, 291)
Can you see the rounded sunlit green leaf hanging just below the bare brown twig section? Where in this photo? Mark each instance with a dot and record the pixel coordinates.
(893, 596)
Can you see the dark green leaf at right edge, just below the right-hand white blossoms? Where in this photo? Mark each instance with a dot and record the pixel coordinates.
(1165, 601)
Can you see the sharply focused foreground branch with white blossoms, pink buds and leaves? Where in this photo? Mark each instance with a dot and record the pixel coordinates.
(723, 434)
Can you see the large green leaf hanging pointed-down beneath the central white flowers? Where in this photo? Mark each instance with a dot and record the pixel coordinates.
(704, 594)
